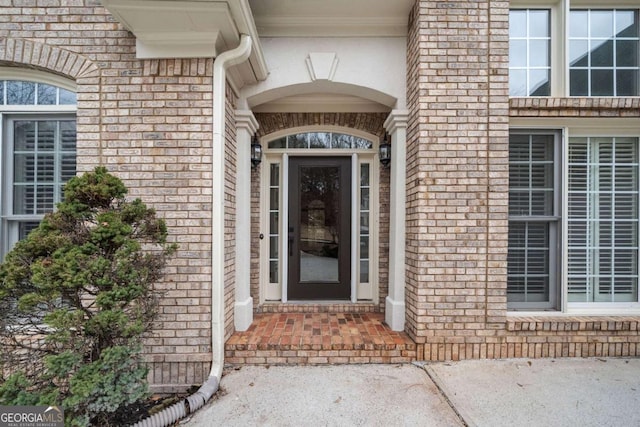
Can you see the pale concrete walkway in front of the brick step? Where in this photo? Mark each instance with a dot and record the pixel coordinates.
(517, 392)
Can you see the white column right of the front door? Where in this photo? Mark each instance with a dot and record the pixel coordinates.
(396, 126)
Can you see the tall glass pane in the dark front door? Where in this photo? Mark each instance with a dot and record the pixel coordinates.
(319, 223)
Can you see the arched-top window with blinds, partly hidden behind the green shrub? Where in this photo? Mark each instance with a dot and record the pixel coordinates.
(38, 153)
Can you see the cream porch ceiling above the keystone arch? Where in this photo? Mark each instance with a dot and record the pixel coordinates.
(331, 18)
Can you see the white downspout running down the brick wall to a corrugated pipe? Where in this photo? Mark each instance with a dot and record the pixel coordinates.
(194, 402)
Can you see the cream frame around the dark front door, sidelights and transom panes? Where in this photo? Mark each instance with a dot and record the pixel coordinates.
(278, 291)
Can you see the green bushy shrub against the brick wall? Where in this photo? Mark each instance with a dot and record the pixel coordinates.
(76, 298)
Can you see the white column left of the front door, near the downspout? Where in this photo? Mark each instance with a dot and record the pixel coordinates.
(246, 126)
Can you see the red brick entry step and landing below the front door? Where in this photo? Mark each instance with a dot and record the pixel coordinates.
(319, 338)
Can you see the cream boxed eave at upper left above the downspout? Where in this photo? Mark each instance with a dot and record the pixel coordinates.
(191, 29)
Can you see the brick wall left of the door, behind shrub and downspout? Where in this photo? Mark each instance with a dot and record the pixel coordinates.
(149, 122)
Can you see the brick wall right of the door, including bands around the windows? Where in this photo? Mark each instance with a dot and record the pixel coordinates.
(457, 185)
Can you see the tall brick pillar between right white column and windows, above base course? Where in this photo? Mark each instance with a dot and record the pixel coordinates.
(457, 170)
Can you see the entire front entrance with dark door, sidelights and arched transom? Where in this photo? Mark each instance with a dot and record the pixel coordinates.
(318, 203)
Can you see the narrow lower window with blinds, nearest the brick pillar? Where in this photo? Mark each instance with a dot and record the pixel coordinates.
(533, 220)
